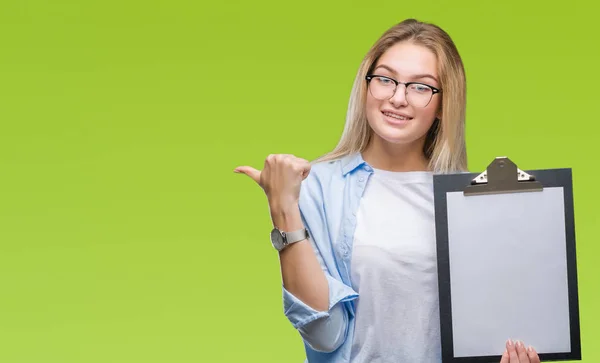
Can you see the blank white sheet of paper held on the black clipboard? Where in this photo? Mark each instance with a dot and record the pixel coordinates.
(509, 281)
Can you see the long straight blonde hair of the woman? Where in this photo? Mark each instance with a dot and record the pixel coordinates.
(445, 142)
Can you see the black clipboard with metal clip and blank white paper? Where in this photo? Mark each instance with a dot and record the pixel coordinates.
(506, 263)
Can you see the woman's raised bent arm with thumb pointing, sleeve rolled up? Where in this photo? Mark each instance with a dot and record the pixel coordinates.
(313, 299)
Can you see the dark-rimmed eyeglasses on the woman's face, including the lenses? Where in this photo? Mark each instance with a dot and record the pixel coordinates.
(417, 94)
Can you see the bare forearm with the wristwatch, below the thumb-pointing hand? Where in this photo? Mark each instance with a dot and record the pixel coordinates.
(301, 272)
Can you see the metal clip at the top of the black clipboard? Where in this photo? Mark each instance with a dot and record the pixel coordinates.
(503, 176)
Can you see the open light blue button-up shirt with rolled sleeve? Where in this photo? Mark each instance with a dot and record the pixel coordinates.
(329, 200)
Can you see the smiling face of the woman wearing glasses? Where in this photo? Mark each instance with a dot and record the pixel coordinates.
(396, 120)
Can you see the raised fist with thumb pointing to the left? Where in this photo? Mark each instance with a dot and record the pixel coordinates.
(281, 178)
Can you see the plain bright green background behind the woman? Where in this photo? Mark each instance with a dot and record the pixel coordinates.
(124, 234)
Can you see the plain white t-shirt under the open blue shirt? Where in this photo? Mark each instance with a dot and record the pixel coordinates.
(394, 271)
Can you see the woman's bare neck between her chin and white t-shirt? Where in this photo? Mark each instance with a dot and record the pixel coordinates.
(381, 154)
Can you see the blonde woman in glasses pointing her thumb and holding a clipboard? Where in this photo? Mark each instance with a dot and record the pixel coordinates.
(355, 230)
